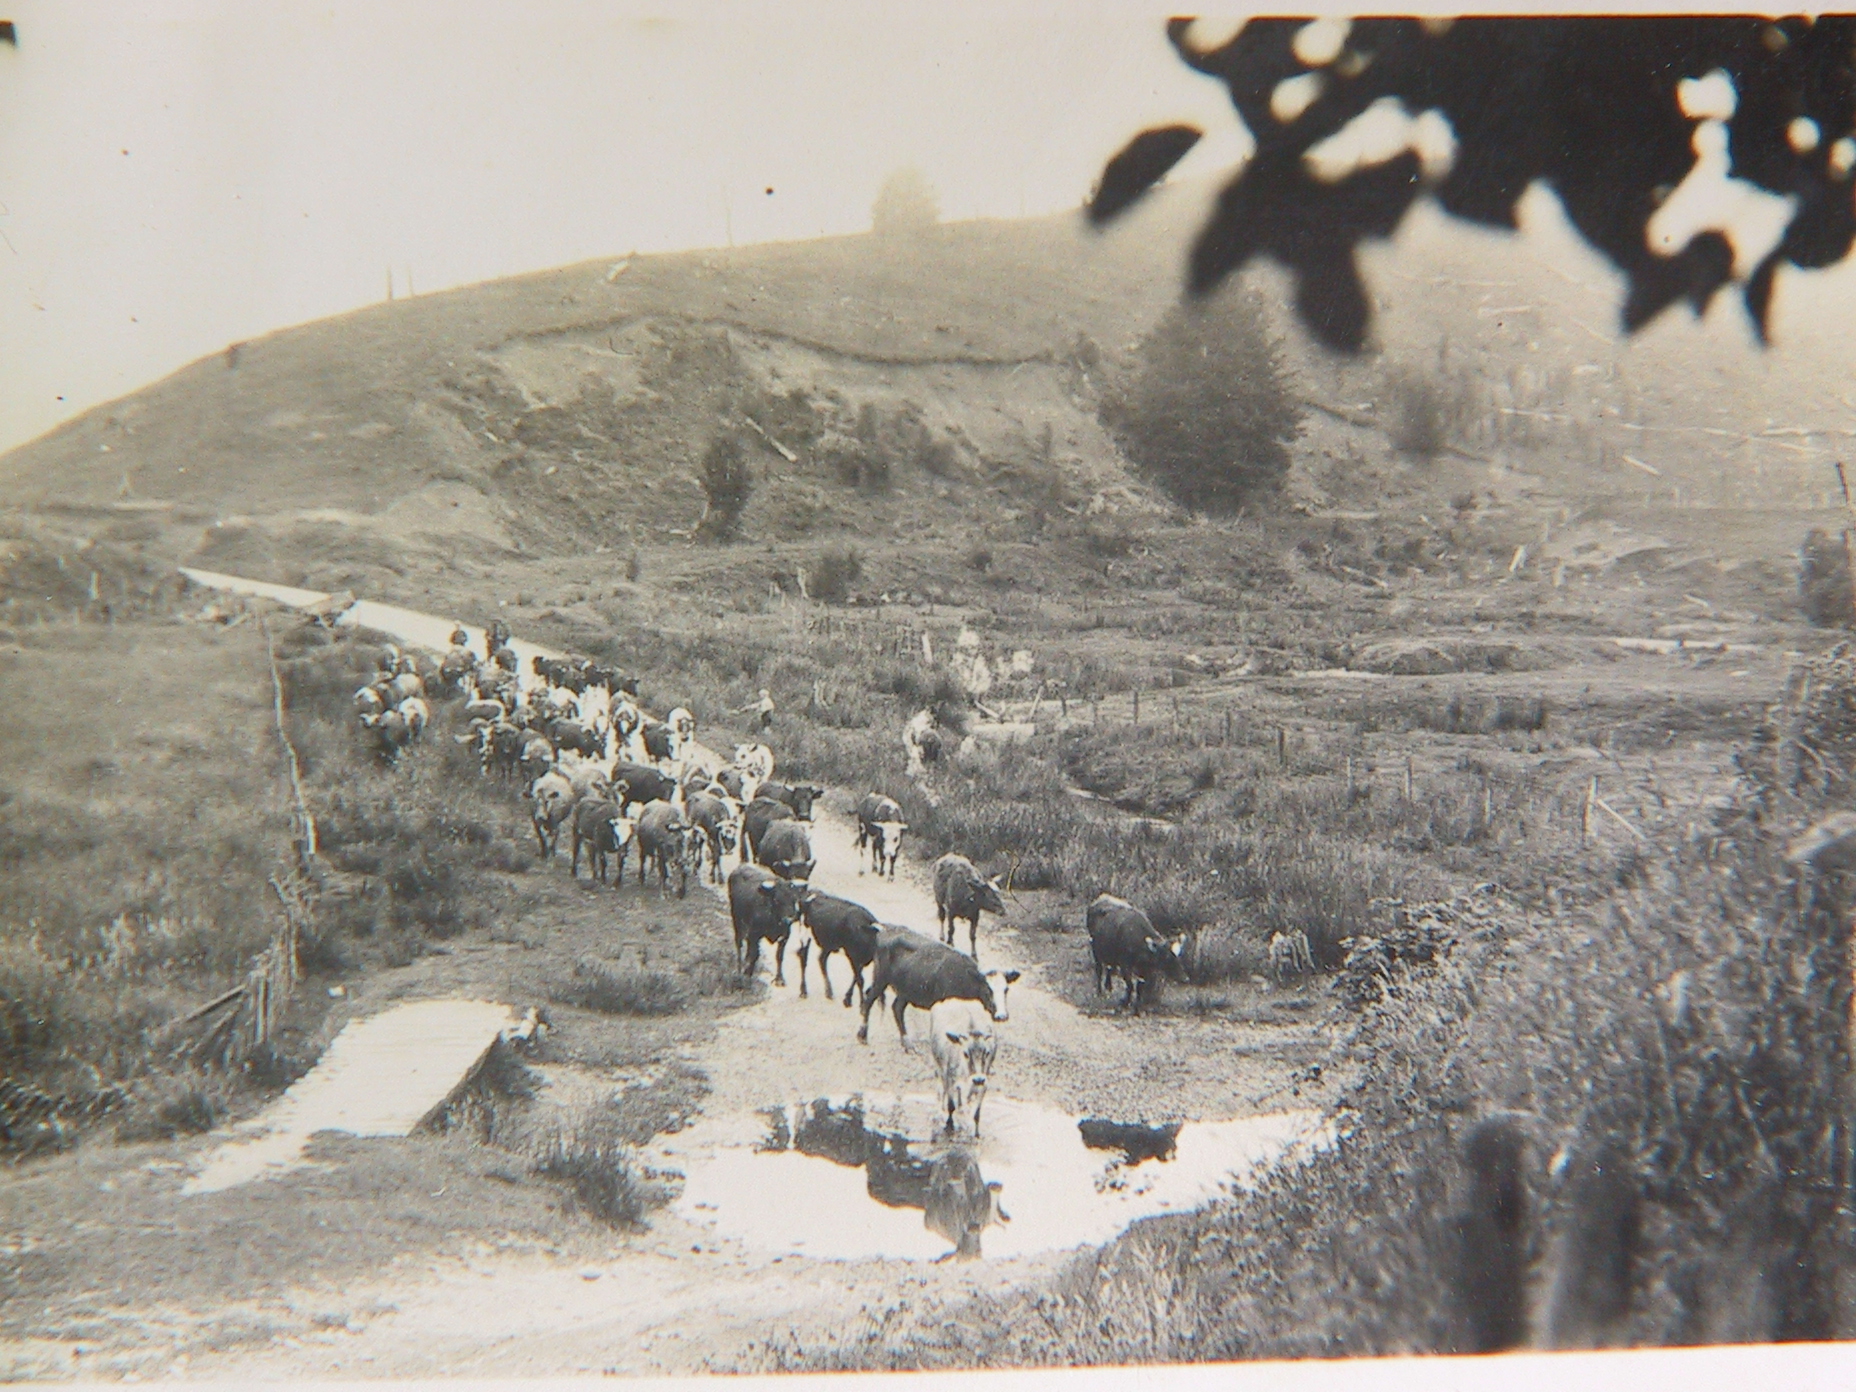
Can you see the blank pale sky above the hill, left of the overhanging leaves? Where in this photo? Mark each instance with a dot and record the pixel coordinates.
(177, 177)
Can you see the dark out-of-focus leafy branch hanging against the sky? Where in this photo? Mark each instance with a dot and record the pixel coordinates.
(1586, 105)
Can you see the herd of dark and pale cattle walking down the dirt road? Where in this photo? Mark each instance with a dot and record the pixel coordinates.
(595, 767)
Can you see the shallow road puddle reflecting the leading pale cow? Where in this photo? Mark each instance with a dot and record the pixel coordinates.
(851, 1179)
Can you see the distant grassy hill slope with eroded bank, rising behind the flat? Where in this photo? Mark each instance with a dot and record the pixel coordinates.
(892, 380)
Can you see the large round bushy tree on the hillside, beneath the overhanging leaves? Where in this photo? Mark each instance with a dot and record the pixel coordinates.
(1209, 415)
